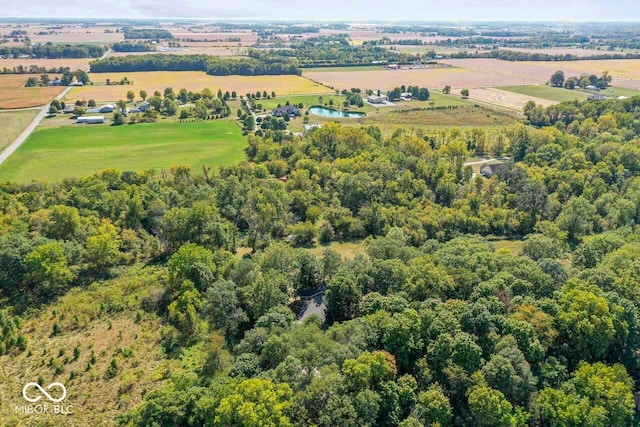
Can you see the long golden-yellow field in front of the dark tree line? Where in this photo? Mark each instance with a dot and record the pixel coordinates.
(191, 80)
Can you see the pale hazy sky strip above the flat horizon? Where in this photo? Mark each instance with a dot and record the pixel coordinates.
(346, 10)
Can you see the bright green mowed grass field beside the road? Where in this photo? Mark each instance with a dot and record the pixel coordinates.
(56, 153)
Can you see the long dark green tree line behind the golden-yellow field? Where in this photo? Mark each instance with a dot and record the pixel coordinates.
(210, 64)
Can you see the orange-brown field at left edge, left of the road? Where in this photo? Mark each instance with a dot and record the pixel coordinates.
(13, 94)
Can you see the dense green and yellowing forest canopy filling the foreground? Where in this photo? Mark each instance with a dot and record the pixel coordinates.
(433, 326)
